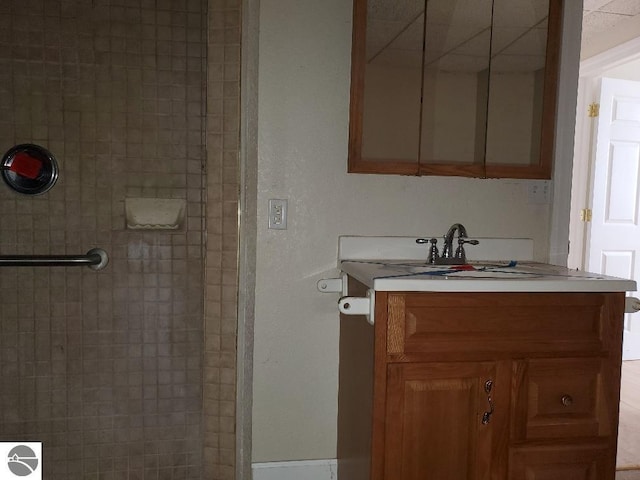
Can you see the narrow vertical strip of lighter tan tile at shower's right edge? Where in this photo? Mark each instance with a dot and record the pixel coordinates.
(223, 67)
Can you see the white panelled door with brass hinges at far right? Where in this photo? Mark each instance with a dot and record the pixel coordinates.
(614, 239)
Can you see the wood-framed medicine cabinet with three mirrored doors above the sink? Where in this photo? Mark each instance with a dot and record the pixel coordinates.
(454, 87)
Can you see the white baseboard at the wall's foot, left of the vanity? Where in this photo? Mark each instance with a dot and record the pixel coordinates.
(299, 470)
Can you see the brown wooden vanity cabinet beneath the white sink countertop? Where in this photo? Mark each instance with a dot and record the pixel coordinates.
(541, 369)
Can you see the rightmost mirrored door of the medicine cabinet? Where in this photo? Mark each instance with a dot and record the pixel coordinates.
(521, 112)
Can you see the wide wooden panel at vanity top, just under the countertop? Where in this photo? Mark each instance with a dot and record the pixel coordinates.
(432, 323)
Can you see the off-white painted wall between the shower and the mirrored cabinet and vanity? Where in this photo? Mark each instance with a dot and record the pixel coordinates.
(302, 153)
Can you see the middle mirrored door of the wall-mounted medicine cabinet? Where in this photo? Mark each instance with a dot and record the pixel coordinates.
(455, 85)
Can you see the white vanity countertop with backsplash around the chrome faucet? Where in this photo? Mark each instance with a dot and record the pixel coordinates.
(399, 264)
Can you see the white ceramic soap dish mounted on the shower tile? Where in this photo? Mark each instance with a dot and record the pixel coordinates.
(155, 213)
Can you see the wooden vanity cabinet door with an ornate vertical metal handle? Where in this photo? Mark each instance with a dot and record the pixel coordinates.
(434, 423)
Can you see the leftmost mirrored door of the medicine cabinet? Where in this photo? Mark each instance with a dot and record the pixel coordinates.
(387, 78)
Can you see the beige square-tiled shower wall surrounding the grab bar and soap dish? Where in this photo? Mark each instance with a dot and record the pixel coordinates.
(128, 372)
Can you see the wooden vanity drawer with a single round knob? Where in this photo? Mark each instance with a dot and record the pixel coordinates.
(560, 398)
